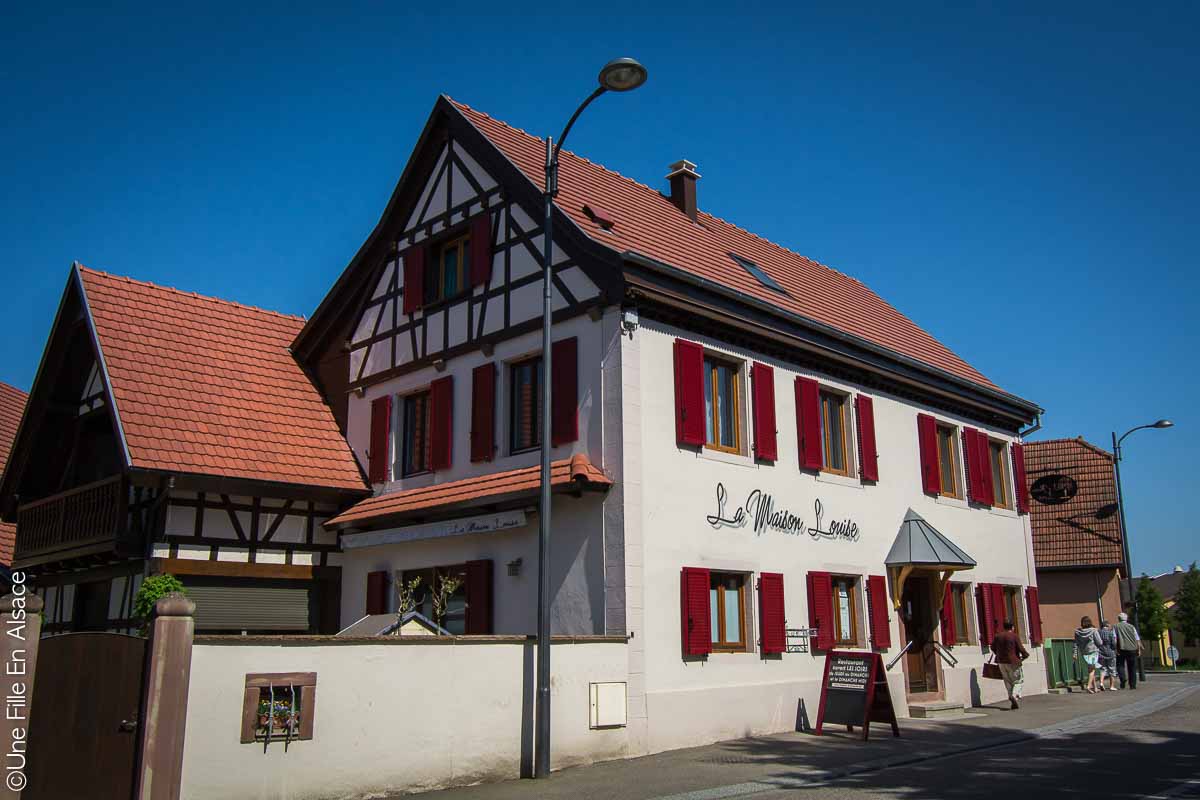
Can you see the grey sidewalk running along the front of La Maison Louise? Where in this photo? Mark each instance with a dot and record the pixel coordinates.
(797, 759)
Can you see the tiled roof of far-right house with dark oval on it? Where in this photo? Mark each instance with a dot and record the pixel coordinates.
(1071, 534)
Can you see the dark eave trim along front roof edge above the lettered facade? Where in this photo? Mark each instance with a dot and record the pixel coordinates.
(821, 339)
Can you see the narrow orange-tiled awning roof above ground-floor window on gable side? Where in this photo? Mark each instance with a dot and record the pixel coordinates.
(574, 473)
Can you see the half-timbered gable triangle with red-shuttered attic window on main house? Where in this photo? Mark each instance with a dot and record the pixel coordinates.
(441, 290)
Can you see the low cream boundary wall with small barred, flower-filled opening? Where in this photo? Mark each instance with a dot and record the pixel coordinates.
(392, 718)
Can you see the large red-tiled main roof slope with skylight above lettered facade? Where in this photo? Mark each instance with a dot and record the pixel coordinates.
(647, 224)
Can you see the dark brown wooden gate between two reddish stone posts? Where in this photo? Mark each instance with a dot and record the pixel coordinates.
(83, 727)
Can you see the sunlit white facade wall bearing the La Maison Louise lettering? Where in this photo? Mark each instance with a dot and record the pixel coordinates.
(695, 701)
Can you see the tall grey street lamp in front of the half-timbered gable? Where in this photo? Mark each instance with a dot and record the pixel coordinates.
(620, 75)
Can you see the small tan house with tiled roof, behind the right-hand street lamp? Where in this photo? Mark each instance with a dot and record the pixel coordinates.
(1077, 533)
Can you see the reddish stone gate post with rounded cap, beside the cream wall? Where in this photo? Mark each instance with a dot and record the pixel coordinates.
(166, 699)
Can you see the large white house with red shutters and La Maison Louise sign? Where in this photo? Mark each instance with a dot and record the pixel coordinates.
(746, 443)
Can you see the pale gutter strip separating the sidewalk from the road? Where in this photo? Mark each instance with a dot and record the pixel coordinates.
(821, 778)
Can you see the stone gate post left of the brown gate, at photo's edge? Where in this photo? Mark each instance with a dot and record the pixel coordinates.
(21, 617)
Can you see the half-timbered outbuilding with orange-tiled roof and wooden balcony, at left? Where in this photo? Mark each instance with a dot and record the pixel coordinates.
(169, 432)
